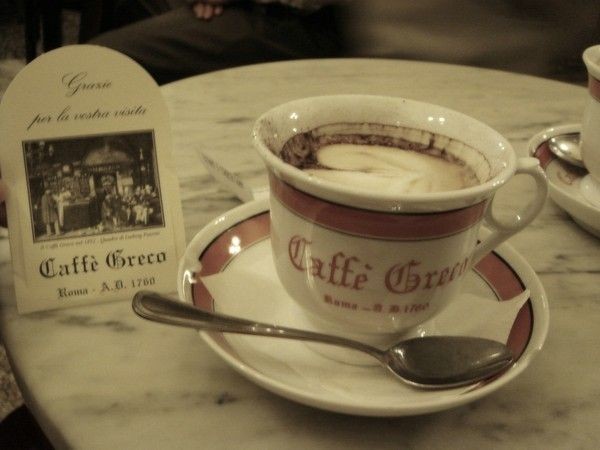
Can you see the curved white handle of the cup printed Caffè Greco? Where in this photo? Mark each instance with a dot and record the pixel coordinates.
(502, 229)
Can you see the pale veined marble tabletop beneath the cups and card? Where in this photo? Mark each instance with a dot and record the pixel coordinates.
(99, 377)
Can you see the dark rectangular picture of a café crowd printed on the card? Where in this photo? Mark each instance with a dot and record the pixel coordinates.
(92, 185)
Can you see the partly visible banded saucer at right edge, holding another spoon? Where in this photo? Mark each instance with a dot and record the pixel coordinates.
(565, 179)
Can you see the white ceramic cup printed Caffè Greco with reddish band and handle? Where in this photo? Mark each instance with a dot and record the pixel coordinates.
(379, 263)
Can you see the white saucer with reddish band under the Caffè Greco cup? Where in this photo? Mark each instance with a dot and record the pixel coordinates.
(292, 370)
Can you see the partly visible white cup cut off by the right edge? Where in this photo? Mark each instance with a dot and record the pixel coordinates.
(590, 128)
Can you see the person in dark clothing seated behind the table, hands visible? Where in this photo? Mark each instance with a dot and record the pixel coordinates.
(180, 38)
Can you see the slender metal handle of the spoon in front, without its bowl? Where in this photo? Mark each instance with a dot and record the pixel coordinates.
(158, 308)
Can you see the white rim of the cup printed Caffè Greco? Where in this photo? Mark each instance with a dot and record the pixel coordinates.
(382, 201)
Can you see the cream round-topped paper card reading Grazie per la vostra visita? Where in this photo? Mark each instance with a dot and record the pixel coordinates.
(93, 206)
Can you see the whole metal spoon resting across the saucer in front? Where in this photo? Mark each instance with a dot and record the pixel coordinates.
(426, 362)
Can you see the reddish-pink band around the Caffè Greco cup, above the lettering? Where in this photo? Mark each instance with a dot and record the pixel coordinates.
(374, 224)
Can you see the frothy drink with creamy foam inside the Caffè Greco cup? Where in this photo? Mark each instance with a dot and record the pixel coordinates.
(379, 162)
